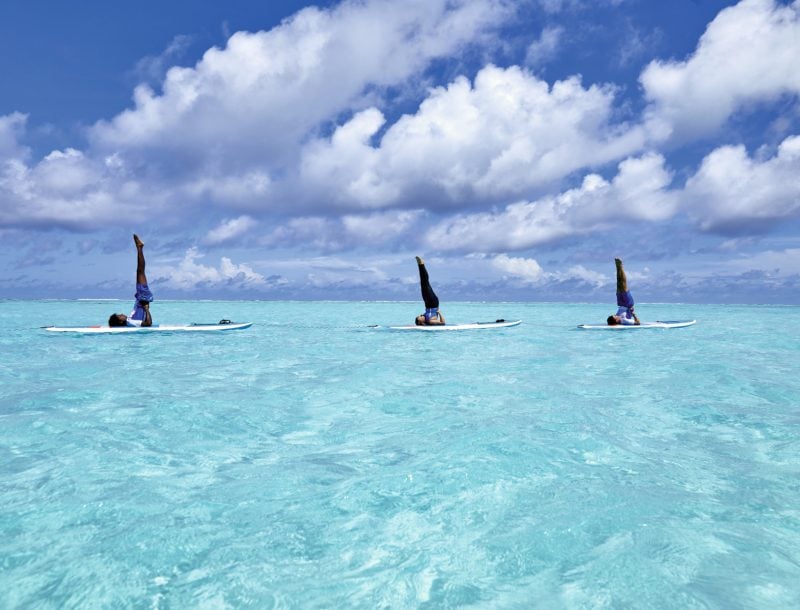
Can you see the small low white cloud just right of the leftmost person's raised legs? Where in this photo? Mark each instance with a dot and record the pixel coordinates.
(189, 274)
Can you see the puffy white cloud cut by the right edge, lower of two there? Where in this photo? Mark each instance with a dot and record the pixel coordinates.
(733, 192)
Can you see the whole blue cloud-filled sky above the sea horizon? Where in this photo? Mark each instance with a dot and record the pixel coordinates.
(295, 150)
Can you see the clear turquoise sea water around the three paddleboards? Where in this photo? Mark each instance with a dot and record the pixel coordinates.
(320, 464)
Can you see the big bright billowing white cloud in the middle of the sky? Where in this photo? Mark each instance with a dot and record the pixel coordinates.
(497, 139)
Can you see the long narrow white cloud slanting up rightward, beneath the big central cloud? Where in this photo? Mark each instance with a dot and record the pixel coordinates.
(639, 191)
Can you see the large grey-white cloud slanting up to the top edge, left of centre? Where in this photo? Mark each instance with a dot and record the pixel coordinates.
(257, 98)
